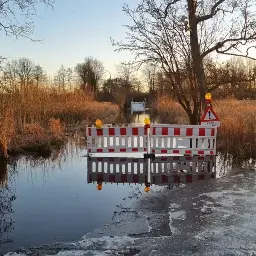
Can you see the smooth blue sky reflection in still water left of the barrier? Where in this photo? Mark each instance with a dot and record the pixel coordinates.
(56, 202)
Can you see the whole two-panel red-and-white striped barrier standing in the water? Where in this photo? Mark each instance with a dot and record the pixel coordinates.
(169, 139)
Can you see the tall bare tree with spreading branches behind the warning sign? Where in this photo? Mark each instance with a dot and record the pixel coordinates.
(180, 34)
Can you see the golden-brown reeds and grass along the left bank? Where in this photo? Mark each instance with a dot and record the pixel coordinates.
(37, 120)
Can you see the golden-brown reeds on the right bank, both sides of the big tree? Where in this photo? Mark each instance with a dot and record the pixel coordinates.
(237, 134)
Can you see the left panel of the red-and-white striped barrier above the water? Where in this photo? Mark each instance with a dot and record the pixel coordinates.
(117, 139)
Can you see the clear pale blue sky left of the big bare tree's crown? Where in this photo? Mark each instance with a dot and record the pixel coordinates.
(71, 31)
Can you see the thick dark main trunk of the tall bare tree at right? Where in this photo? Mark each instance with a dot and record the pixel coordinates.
(195, 50)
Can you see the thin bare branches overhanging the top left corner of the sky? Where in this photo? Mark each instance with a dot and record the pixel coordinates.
(15, 16)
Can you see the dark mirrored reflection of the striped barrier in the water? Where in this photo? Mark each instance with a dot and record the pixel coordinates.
(157, 171)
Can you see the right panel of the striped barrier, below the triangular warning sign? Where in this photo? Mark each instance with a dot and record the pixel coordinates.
(185, 140)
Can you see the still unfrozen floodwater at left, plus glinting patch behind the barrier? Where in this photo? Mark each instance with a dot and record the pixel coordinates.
(47, 200)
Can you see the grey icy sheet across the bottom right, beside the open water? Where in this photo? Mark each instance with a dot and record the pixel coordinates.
(214, 217)
